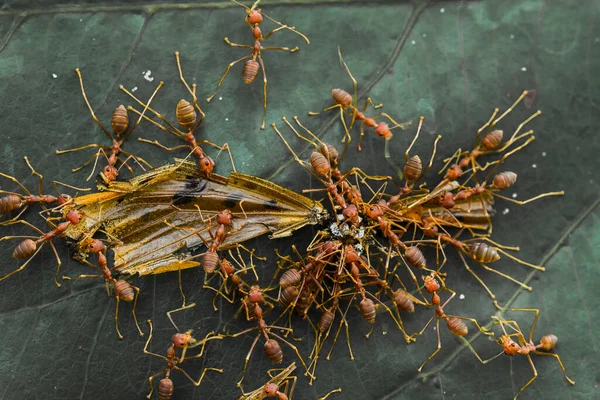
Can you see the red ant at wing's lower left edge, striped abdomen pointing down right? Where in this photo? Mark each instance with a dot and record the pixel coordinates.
(123, 289)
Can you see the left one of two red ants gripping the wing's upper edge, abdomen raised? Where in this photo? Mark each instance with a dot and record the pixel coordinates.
(119, 124)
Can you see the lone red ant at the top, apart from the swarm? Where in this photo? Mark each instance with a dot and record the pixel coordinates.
(254, 17)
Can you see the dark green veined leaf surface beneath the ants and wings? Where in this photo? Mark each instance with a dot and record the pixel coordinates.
(452, 62)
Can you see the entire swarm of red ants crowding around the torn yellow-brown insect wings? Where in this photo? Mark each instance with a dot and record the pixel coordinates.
(368, 255)
